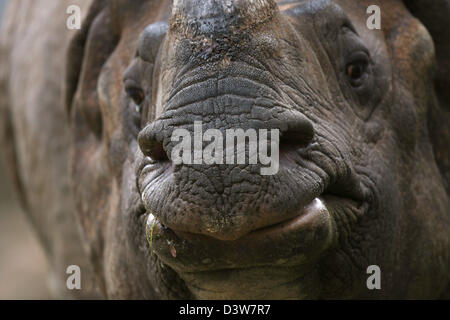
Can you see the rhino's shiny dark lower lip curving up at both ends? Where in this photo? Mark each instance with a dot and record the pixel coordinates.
(300, 239)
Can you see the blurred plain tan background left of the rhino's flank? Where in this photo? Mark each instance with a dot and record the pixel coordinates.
(23, 265)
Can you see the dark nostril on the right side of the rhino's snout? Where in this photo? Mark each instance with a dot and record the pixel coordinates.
(299, 133)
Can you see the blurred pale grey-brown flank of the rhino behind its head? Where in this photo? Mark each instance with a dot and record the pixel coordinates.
(35, 129)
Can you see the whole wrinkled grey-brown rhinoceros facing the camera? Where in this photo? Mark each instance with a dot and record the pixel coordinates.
(95, 110)
